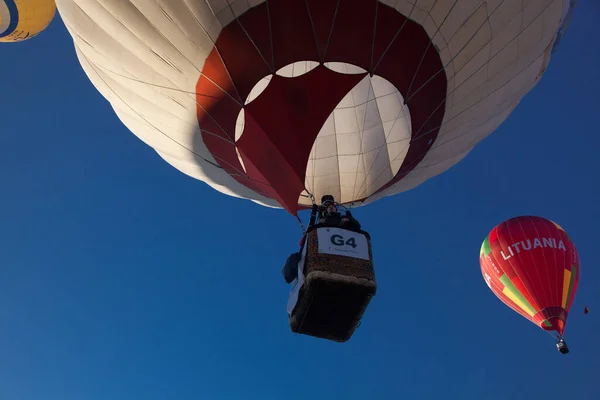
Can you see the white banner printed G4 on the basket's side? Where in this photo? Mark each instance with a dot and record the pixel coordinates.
(341, 242)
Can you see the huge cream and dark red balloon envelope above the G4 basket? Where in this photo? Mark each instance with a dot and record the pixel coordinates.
(278, 100)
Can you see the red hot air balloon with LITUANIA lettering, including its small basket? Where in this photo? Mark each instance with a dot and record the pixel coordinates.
(531, 265)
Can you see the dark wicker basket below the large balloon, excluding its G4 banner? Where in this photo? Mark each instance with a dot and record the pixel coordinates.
(335, 295)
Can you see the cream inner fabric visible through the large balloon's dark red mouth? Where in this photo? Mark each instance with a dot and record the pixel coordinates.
(362, 144)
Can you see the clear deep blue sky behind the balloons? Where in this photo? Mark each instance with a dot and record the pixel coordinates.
(122, 278)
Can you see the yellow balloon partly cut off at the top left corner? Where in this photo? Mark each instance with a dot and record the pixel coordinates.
(23, 19)
